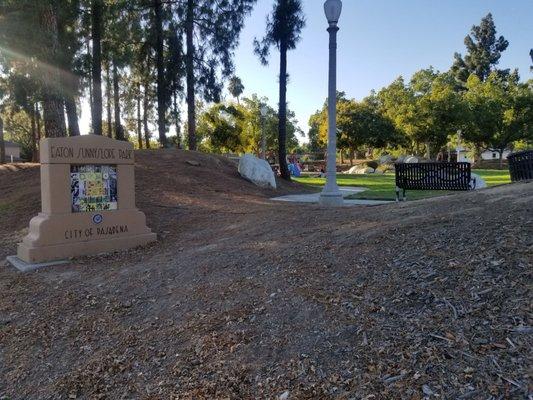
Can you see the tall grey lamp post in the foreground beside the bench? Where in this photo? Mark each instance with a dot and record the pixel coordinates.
(331, 195)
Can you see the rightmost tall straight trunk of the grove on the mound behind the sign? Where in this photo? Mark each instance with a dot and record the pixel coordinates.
(189, 66)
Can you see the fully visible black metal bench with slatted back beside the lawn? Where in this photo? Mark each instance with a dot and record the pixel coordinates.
(433, 176)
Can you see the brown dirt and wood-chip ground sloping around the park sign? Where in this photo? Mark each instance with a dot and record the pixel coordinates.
(244, 298)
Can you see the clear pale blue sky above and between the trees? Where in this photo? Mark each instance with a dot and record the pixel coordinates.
(378, 41)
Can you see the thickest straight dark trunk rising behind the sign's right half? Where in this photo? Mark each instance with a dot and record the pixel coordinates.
(96, 11)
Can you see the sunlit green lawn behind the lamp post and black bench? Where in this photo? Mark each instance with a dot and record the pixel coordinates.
(382, 187)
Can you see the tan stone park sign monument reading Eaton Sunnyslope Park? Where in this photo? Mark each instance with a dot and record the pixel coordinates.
(88, 201)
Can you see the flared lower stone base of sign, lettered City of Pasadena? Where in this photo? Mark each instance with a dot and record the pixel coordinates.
(59, 236)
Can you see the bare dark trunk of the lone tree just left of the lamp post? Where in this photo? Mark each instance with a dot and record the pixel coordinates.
(282, 115)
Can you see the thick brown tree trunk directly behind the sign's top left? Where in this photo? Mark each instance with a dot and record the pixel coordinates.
(53, 107)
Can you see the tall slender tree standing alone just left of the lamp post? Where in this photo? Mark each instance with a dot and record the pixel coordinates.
(283, 30)
